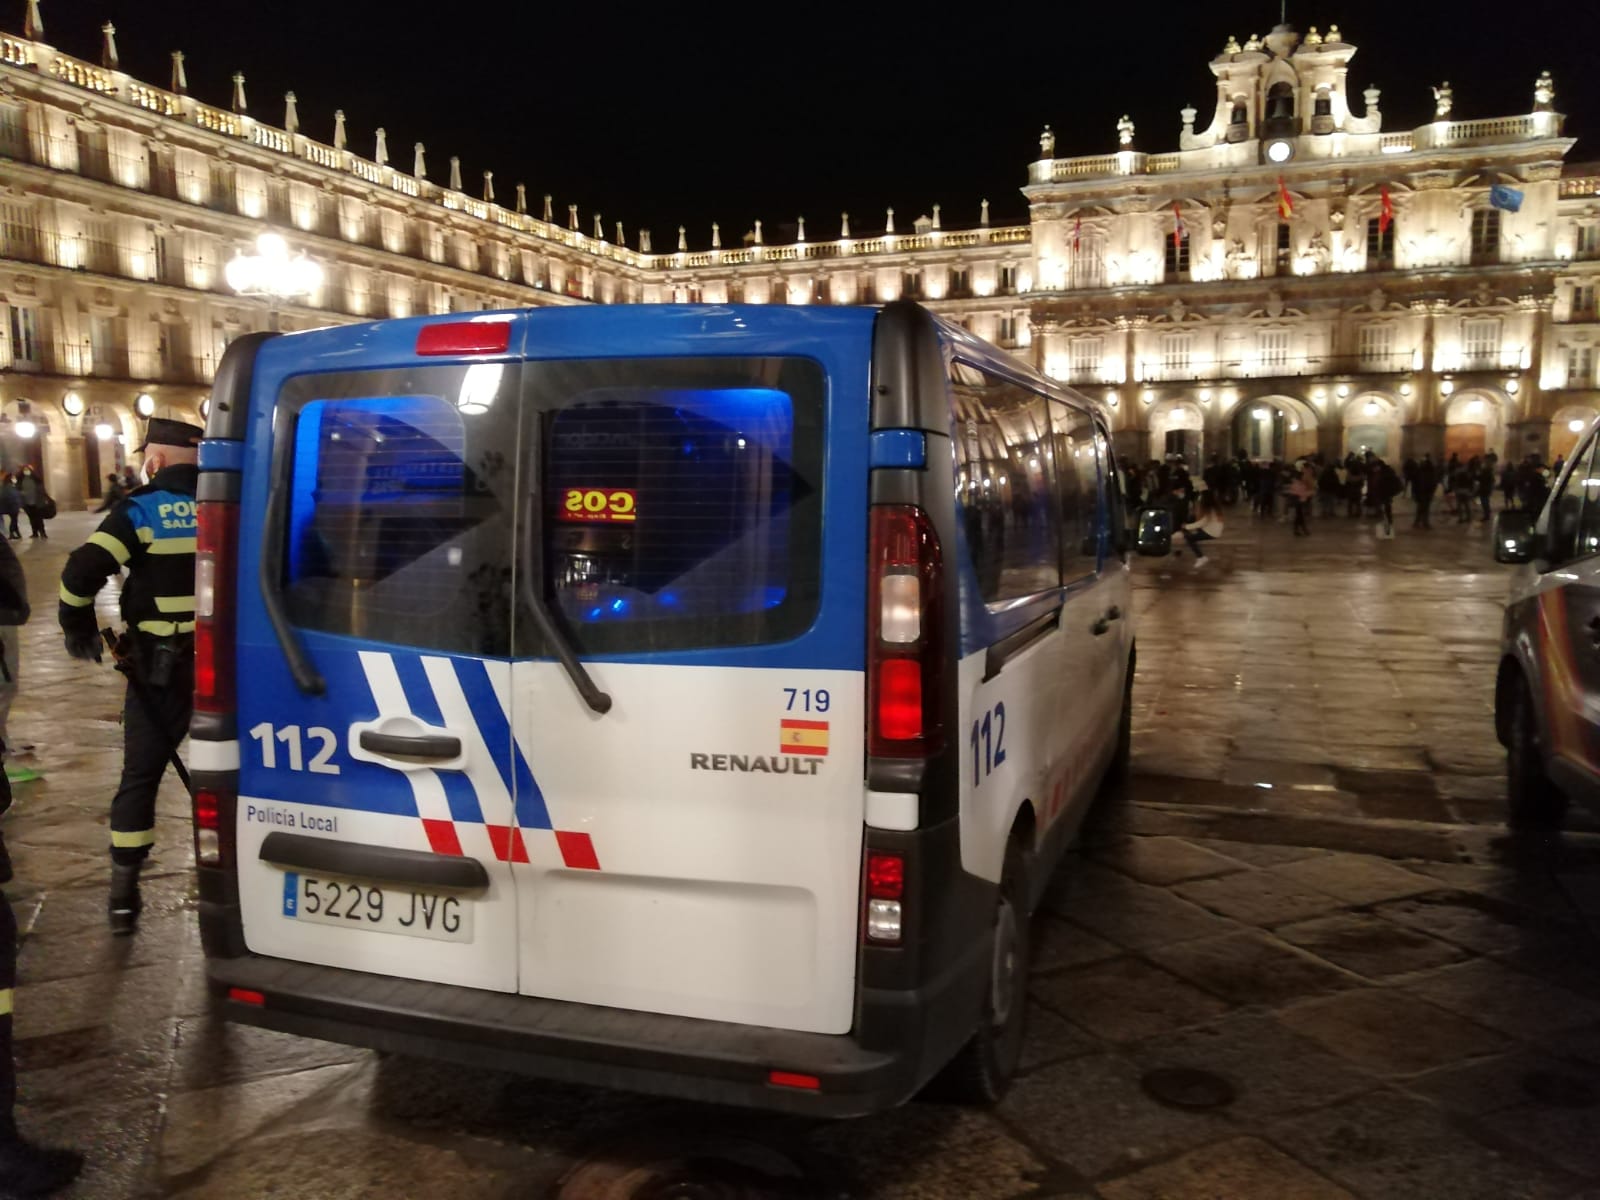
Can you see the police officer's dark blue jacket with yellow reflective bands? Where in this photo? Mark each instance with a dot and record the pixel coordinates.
(153, 534)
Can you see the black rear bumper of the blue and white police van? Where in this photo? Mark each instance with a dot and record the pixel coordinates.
(583, 1044)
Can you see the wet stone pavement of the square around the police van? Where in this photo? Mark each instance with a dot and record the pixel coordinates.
(1305, 961)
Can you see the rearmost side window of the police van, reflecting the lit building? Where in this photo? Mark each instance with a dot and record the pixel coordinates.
(1006, 462)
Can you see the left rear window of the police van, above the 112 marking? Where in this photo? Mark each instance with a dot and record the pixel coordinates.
(401, 500)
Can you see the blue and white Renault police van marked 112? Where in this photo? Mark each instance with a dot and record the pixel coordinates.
(687, 700)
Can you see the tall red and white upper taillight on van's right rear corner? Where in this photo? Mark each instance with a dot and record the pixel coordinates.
(906, 633)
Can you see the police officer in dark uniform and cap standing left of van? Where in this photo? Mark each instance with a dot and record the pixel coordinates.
(153, 535)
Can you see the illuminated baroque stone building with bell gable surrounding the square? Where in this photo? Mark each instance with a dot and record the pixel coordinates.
(1330, 286)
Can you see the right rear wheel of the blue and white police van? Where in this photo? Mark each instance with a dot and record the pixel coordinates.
(982, 1073)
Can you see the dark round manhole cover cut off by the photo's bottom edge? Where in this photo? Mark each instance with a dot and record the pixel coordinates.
(706, 1172)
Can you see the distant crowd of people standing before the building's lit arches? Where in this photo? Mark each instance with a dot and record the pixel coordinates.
(1359, 486)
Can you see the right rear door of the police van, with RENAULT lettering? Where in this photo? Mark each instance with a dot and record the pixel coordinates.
(697, 847)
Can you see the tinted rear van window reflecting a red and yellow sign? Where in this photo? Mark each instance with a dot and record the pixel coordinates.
(682, 500)
